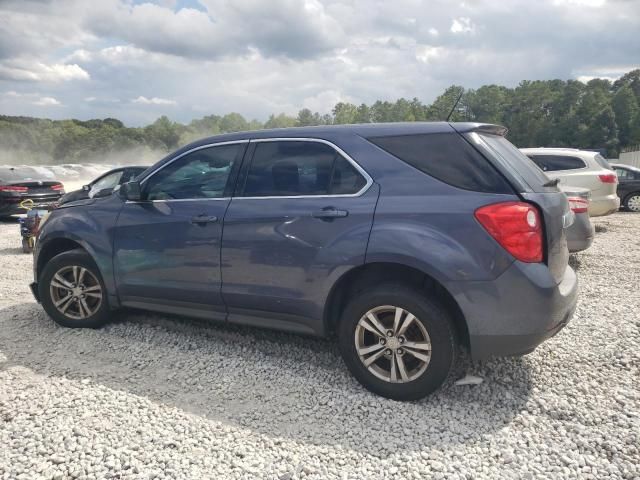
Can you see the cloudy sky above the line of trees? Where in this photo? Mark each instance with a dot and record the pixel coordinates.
(138, 60)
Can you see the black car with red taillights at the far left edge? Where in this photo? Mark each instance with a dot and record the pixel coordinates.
(18, 184)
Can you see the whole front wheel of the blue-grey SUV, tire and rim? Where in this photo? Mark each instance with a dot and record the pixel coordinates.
(74, 311)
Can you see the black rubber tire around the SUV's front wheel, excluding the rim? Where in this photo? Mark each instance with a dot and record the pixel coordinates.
(72, 258)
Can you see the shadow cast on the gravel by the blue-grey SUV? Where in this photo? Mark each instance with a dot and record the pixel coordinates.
(274, 384)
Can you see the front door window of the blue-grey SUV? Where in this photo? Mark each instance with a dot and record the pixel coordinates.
(200, 174)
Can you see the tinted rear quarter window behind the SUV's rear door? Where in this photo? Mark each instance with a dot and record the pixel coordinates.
(447, 157)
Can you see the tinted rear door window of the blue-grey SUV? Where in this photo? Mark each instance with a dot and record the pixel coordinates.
(296, 168)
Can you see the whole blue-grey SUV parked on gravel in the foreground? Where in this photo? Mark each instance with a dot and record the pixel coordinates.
(403, 240)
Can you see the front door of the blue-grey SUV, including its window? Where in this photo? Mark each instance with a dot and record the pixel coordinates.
(167, 246)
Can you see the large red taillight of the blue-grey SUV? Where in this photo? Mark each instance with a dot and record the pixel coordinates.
(516, 226)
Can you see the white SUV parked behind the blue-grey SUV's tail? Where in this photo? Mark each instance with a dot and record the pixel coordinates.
(580, 168)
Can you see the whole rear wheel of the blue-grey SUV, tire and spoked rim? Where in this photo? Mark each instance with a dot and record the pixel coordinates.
(420, 377)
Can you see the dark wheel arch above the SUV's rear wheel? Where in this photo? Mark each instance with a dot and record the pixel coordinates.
(361, 277)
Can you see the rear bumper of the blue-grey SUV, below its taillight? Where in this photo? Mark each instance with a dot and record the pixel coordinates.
(516, 312)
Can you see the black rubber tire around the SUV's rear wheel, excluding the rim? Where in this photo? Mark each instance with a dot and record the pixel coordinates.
(435, 319)
